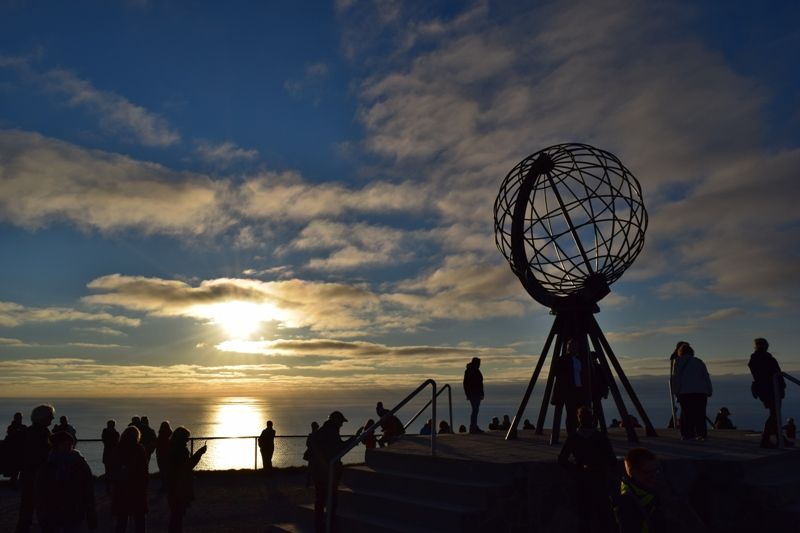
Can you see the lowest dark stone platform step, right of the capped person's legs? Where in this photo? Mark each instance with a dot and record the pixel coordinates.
(413, 511)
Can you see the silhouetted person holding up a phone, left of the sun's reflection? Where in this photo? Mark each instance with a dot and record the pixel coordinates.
(180, 485)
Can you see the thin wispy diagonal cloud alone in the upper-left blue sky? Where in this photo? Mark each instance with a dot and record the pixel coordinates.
(115, 113)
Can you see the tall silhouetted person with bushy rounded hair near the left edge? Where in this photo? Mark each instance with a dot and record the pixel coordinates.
(34, 455)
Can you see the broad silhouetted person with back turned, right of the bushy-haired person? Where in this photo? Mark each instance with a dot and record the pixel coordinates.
(64, 488)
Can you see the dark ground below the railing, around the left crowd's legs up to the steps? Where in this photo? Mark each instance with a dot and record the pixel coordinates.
(240, 500)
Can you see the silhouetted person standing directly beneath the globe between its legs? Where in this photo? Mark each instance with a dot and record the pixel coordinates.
(572, 379)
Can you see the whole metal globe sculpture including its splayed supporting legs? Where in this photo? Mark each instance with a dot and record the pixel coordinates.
(570, 220)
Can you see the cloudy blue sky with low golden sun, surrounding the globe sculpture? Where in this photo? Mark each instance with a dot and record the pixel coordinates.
(257, 197)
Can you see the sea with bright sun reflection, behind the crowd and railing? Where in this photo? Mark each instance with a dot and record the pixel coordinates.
(239, 419)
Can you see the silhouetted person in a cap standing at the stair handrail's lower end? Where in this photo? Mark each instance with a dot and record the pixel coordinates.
(327, 443)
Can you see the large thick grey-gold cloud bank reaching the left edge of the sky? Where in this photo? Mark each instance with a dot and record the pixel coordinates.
(43, 180)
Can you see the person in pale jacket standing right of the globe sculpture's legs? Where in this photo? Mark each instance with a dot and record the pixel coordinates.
(692, 385)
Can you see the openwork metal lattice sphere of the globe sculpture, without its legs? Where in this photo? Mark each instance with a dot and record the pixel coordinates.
(584, 220)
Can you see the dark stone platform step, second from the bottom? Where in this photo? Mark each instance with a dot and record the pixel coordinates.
(476, 493)
